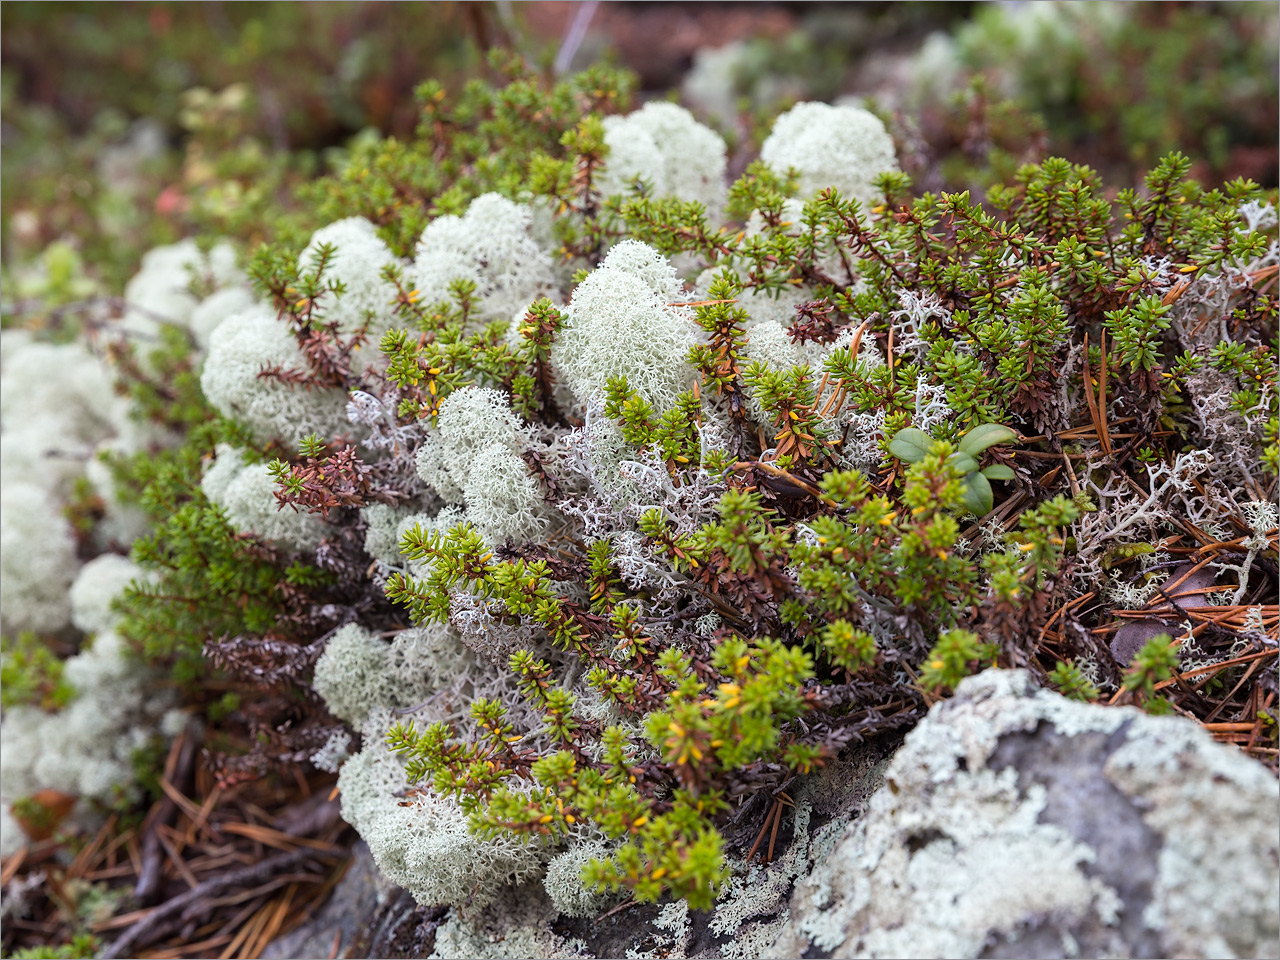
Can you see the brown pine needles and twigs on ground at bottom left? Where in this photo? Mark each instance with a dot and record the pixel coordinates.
(223, 871)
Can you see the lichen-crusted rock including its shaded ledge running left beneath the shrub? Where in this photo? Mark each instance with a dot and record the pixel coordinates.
(1013, 822)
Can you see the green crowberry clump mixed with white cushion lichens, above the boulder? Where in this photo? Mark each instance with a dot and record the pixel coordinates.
(655, 500)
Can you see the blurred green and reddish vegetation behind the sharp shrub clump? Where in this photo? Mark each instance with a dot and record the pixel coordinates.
(131, 125)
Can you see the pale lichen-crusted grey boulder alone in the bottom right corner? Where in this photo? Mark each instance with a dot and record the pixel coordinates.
(1018, 824)
